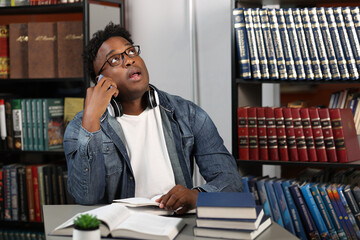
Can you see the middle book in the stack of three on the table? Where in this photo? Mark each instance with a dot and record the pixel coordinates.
(232, 223)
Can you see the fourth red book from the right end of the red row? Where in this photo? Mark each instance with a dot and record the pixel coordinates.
(309, 137)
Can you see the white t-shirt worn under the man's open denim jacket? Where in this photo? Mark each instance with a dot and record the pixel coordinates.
(146, 147)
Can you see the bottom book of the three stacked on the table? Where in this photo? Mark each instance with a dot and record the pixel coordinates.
(232, 233)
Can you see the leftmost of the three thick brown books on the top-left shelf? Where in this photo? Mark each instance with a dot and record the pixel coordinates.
(18, 47)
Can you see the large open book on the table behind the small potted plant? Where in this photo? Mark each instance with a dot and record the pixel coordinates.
(118, 221)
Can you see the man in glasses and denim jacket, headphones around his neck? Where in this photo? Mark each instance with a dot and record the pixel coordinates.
(149, 148)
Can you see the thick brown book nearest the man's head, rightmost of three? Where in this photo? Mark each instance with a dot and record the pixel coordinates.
(69, 49)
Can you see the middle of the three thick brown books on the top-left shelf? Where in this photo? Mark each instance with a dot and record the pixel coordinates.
(43, 51)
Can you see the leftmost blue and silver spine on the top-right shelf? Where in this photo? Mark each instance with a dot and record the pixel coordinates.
(242, 45)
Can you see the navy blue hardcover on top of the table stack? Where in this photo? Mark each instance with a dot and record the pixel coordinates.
(225, 205)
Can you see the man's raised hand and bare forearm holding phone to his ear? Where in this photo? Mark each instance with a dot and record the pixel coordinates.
(97, 99)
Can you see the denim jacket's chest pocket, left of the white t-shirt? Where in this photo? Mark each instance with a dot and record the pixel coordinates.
(112, 160)
